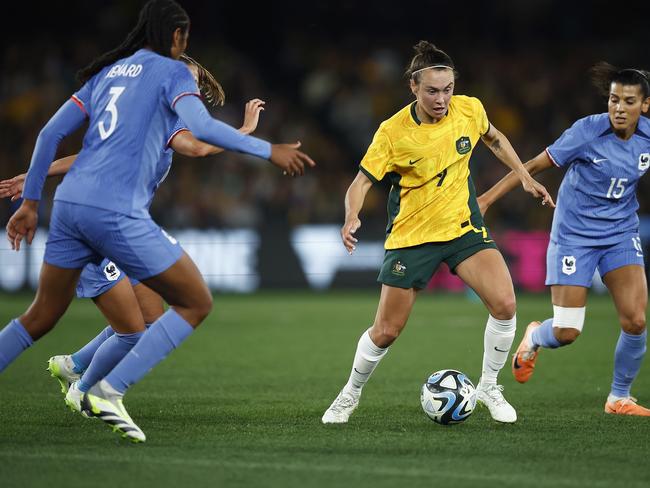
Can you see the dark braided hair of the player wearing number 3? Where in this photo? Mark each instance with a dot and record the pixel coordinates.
(155, 29)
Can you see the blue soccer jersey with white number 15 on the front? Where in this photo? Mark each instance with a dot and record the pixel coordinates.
(596, 204)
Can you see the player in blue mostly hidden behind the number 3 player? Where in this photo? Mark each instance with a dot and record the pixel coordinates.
(104, 283)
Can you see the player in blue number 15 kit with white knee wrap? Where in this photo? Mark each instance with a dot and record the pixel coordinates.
(595, 226)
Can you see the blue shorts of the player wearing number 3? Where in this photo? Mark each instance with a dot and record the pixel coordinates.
(80, 235)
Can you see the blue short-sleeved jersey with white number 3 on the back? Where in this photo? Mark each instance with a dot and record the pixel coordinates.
(127, 127)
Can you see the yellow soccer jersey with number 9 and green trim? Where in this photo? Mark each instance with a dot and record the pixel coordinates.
(432, 196)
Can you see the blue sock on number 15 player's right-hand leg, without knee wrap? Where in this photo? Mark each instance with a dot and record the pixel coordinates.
(630, 350)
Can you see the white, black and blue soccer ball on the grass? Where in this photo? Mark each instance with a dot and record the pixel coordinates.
(448, 397)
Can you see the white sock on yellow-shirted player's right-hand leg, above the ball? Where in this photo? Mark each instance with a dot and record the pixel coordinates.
(497, 341)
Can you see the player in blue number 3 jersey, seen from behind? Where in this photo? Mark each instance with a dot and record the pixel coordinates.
(131, 97)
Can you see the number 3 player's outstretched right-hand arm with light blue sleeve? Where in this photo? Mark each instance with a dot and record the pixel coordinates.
(285, 156)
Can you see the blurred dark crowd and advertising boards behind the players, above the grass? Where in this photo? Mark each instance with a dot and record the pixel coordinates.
(330, 73)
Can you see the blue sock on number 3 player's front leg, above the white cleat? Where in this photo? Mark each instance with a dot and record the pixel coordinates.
(164, 335)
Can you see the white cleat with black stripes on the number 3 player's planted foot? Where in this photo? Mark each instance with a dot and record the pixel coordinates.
(103, 402)
